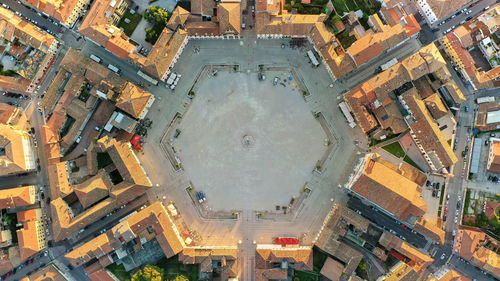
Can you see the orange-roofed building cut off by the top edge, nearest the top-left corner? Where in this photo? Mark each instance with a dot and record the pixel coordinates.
(67, 12)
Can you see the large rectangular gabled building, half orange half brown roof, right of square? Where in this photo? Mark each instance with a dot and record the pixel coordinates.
(384, 184)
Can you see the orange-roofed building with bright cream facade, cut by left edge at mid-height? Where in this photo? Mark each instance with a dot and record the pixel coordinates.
(16, 152)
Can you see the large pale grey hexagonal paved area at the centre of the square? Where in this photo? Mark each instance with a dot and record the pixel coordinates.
(247, 144)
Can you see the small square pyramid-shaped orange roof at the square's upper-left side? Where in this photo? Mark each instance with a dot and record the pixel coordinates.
(134, 100)
